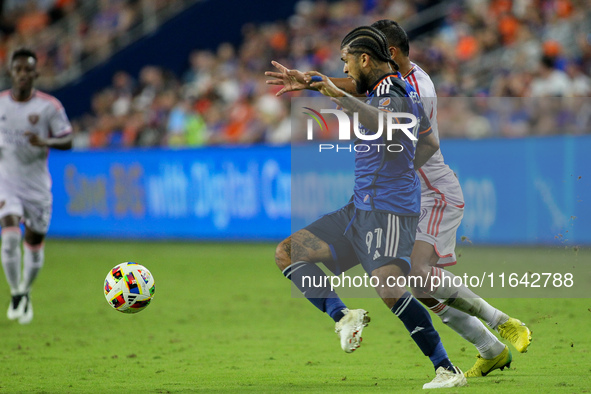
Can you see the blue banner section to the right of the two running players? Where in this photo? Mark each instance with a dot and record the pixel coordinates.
(524, 191)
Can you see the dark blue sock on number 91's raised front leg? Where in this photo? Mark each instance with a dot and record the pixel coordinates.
(315, 286)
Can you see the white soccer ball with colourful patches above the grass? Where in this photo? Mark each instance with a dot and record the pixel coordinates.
(129, 287)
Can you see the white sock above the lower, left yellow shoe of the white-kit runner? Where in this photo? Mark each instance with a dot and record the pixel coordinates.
(471, 329)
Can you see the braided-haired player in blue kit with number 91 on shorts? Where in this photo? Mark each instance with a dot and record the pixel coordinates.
(386, 198)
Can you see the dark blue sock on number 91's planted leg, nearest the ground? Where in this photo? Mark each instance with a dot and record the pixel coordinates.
(417, 321)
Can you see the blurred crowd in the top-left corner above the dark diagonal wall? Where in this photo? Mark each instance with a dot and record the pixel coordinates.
(67, 33)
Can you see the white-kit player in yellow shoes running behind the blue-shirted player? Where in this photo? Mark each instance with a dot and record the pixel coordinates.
(442, 208)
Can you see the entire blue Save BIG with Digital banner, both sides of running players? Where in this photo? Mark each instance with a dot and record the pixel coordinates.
(521, 191)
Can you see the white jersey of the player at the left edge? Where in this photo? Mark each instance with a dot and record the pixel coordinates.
(23, 167)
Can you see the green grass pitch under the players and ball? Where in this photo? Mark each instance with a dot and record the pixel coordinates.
(223, 320)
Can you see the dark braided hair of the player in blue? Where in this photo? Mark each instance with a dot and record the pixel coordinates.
(367, 39)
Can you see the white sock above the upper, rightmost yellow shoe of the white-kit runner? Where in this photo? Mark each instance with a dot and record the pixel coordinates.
(464, 299)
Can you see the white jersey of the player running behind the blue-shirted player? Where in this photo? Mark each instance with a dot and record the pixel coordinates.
(434, 172)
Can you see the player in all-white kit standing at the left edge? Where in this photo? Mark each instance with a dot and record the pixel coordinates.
(31, 122)
